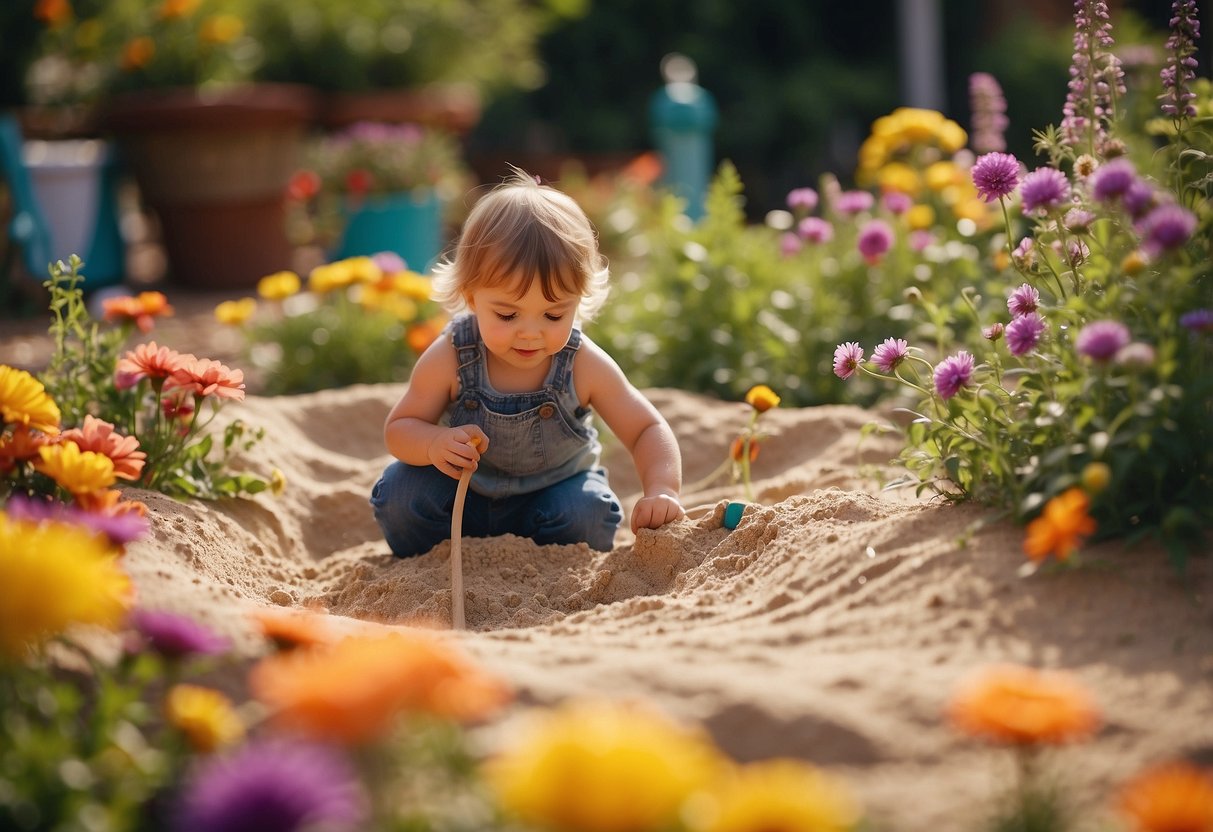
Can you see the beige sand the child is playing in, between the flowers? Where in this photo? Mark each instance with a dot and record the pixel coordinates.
(833, 625)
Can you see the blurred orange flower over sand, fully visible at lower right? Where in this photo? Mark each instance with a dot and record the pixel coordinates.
(1020, 705)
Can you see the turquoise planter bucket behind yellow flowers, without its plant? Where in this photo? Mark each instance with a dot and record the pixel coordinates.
(408, 224)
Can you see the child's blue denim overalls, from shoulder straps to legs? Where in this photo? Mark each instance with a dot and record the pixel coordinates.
(540, 477)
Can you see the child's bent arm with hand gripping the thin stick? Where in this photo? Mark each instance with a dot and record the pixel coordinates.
(412, 431)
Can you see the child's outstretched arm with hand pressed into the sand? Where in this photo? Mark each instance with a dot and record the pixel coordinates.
(642, 431)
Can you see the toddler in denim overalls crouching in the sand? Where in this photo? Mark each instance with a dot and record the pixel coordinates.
(511, 387)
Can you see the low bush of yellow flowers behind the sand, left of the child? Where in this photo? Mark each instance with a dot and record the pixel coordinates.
(361, 321)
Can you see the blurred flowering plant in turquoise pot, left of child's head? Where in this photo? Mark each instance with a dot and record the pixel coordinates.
(380, 187)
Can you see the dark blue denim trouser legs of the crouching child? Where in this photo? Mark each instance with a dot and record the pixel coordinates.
(414, 506)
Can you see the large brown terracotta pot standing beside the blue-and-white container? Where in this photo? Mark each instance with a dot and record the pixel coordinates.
(214, 167)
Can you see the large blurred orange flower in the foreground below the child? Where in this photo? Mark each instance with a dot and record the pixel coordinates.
(354, 691)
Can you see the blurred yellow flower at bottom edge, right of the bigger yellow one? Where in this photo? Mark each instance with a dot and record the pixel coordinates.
(777, 795)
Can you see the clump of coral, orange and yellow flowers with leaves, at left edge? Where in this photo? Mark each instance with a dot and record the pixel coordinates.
(143, 417)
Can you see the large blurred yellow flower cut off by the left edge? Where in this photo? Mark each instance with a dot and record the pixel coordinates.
(54, 575)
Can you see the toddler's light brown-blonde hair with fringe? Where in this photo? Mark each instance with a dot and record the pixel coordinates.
(526, 231)
